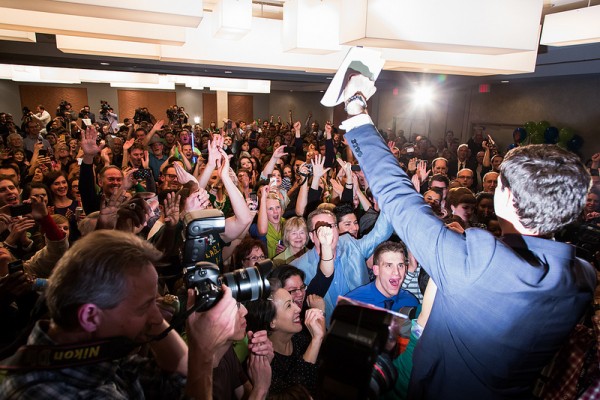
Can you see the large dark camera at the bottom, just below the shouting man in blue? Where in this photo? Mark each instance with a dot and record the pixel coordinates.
(355, 363)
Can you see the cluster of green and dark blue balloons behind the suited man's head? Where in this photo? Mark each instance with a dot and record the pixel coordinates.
(542, 132)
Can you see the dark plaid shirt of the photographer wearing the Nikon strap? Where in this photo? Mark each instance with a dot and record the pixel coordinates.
(133, 377)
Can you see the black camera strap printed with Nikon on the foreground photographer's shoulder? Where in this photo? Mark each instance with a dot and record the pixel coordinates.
(44, 357)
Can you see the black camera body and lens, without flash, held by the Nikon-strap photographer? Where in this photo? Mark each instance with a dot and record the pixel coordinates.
(246, 284)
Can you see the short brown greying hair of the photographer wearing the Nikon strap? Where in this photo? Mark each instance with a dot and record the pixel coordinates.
(95, 270)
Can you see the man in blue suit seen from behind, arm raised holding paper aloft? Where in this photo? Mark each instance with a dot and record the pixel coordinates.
(504, 306)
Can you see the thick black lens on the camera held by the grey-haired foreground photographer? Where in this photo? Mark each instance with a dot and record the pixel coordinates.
(246, 284)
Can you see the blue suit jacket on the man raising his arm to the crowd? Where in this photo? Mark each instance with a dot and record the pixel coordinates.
(503, 307)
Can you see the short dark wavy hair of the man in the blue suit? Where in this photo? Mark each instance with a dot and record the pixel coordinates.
(549, 186)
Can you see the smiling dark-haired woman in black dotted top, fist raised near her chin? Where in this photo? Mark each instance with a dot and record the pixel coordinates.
(295, 353)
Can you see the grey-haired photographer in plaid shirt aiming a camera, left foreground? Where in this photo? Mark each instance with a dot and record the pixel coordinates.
(94, 297)
